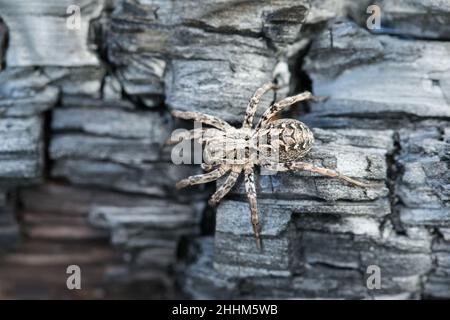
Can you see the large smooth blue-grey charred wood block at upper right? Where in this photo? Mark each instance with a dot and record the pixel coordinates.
(386, 81)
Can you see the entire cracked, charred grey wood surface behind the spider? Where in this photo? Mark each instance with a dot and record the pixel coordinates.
(84, 114)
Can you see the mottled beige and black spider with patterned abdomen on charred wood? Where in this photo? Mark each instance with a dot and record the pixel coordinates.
(271, 144)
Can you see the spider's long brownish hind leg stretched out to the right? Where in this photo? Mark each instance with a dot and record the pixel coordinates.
(322, 171)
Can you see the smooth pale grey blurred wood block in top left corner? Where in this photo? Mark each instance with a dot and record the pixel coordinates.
(38, 34)
